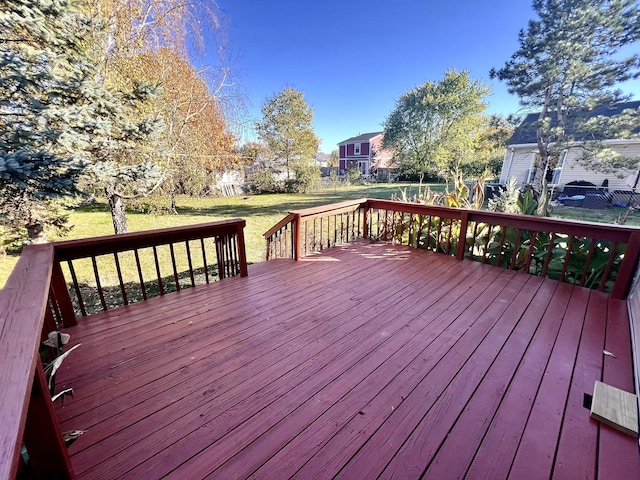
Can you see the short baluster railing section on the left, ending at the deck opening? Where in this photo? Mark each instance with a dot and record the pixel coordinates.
(159, 261)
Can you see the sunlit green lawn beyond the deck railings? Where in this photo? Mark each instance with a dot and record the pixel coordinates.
(261, 212)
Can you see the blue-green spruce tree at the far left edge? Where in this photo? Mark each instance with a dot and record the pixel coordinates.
(41, 72)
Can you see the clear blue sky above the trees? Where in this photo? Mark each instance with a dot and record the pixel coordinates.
(354, 58)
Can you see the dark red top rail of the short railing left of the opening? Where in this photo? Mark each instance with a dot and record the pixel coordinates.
(81, 248)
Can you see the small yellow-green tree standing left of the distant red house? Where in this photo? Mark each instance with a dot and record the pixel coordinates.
(287, 129)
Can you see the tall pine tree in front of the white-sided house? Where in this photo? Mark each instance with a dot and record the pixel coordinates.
(570, 62)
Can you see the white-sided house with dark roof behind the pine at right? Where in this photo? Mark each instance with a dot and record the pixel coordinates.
(522, 154)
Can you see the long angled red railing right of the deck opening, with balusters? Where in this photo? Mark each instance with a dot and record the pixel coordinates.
(599, 256)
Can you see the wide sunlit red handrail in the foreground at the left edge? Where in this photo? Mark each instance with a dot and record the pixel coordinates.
(22, 302)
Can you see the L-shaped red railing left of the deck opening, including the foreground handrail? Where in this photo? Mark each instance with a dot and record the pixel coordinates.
(37, 299)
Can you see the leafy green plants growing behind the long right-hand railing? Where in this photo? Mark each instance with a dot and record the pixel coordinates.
(578, 260)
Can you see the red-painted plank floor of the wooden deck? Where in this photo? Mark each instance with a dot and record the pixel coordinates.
(369, 360)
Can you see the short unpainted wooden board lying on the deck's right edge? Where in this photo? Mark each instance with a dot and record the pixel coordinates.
(615, 407)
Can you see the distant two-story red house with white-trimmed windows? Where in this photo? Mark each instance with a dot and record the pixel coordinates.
(365, 153)
